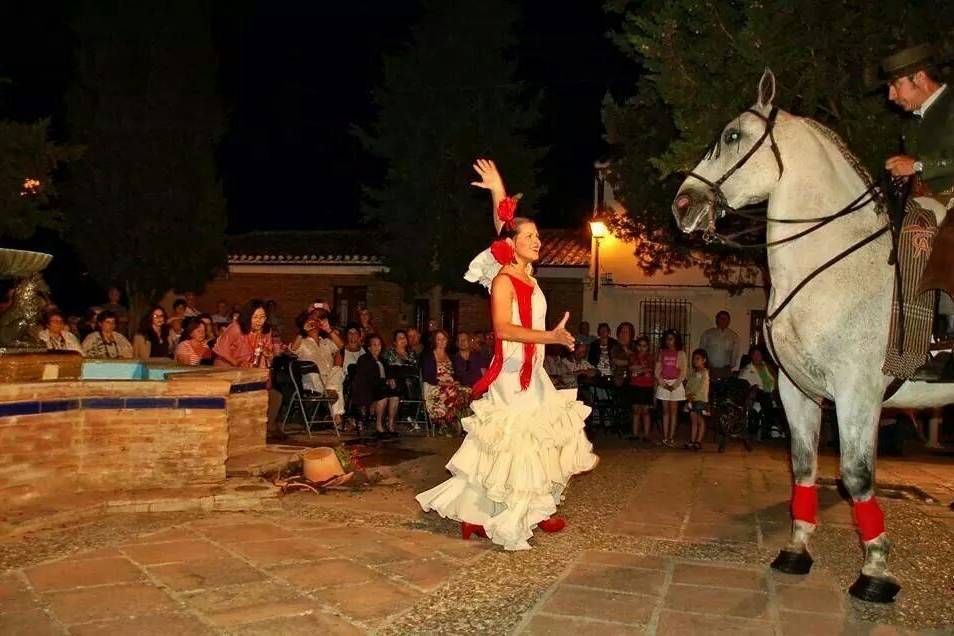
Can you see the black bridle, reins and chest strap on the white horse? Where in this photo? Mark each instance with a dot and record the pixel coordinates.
(720, 208)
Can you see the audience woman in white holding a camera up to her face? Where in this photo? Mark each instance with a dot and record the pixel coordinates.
(319, 344)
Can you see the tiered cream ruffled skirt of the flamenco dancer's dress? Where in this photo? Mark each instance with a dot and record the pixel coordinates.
(512, 467)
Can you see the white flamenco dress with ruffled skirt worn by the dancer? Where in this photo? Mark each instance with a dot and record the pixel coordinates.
(522, 445)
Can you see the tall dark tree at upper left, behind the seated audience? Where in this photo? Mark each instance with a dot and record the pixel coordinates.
(146, 206)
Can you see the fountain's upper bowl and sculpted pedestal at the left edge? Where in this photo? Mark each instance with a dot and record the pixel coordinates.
(20, 270)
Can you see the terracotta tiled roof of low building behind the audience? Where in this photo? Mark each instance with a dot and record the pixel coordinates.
(561, 248)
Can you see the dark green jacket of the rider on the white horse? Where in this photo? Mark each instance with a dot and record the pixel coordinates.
(930, 140)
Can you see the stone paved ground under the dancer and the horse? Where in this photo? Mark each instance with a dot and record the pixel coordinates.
(659, 542)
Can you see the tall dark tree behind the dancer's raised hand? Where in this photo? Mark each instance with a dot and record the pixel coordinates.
(449, 97)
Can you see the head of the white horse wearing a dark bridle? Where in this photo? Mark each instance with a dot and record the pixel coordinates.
(740, 169)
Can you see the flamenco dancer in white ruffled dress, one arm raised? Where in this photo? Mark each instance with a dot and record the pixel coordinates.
(525, 439)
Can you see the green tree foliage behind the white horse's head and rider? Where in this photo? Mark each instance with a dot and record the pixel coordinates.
(700, 62)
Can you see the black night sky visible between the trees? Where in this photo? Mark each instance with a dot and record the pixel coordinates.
(297, 75)
